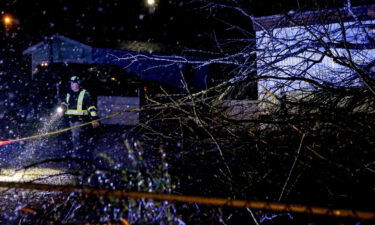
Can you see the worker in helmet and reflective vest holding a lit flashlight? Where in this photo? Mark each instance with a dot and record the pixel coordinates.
(79, 108)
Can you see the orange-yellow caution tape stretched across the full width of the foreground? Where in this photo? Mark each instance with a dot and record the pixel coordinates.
(257, 205)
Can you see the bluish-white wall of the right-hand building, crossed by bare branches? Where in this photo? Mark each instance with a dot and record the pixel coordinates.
(290, 51)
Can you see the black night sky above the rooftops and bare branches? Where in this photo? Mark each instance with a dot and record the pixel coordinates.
(106, 23)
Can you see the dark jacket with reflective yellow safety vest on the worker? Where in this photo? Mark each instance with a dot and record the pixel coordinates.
(79, 105)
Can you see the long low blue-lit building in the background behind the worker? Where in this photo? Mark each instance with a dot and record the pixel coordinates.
(148, 66)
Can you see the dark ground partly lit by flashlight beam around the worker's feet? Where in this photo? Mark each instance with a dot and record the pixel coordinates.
(47, 161)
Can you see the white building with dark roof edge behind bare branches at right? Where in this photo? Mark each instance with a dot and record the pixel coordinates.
(296, 48)
